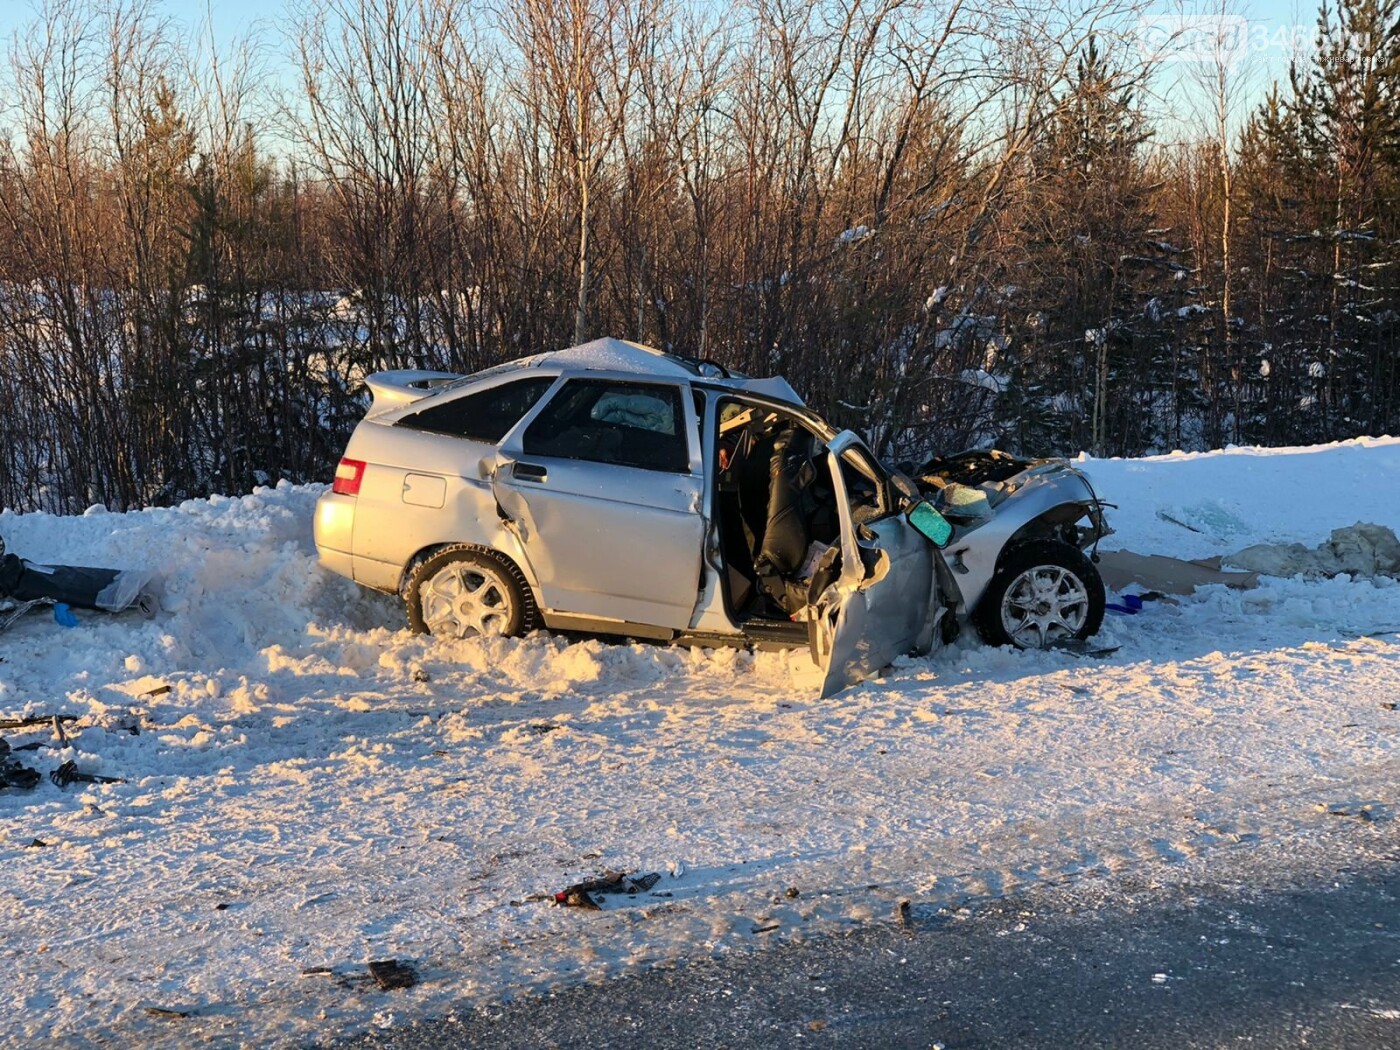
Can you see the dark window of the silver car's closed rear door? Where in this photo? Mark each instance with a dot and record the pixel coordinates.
(607, 422)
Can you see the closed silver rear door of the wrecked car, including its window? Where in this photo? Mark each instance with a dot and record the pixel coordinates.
(604, 489)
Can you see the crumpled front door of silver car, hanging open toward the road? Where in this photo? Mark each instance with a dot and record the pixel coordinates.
(885, 600)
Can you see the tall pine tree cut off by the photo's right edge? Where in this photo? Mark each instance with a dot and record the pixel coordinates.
(1326, 178)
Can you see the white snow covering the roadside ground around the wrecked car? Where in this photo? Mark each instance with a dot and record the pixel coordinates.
(310, 786)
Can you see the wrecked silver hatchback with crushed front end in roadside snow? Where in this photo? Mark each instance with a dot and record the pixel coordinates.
(617, 489)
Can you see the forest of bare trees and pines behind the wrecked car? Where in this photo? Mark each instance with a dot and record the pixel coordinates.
(948, 222)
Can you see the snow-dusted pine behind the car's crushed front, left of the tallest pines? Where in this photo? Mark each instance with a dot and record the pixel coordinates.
(1088, 216)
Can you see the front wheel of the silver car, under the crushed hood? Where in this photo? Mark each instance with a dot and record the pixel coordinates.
(1044, 593)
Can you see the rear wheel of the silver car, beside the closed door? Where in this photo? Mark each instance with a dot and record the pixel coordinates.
(465, 591)
